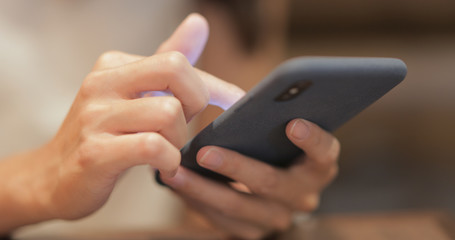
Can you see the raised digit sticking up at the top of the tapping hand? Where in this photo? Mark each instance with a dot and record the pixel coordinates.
(189, 38)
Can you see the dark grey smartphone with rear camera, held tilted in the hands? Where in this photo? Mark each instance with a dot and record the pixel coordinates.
(325, 90)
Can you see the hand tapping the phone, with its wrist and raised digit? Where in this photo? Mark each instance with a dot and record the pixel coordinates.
(111, 128)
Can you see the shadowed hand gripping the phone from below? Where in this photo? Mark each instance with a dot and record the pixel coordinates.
(263, 198)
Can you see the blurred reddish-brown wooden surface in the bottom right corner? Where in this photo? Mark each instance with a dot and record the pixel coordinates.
(378, 226)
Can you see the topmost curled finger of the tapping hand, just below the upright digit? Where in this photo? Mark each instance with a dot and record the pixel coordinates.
(168, 71)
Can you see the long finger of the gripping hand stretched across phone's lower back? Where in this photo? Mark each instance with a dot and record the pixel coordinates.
(294, 189)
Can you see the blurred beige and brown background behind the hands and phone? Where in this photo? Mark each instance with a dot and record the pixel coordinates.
(398, 154)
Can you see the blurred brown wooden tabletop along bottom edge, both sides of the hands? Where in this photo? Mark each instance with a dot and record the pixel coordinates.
(373, 226)
